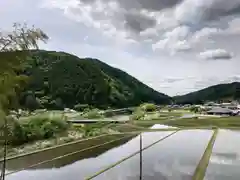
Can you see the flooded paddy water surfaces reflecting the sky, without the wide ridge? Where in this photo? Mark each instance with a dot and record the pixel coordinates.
(174, 156)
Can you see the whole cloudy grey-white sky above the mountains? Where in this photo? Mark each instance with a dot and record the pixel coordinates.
(175, 46)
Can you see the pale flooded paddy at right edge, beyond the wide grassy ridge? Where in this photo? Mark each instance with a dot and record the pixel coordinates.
(225, 163)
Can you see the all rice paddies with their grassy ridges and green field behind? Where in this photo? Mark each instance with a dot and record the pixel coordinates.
(162, 146)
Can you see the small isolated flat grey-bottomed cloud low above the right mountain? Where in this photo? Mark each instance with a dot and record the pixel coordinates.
(216, 54)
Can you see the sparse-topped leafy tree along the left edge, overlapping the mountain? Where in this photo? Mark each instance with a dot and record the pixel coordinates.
(14, 52)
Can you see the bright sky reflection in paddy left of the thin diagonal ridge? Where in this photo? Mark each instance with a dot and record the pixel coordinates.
(85, 167)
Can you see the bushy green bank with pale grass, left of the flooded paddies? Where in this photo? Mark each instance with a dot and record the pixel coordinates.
(46, 129)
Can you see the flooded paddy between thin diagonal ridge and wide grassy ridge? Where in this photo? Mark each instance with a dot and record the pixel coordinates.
(172, 159)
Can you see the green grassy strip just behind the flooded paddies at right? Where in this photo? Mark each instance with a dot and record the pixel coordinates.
(174, 118)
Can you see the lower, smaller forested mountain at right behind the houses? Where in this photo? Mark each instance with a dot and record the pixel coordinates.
(218, 92)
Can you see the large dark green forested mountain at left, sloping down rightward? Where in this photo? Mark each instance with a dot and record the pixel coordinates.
(58, 79)
